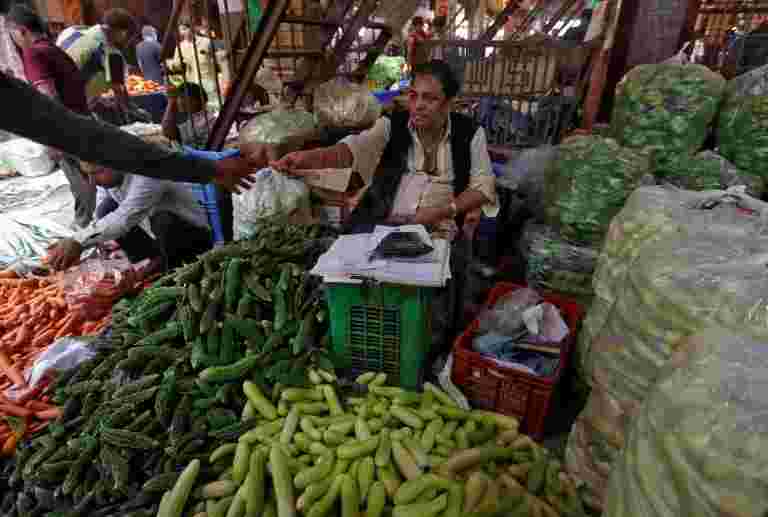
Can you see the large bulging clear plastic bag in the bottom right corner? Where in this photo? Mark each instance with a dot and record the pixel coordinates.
(699, 445)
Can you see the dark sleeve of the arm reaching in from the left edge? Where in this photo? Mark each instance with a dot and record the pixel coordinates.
(32, 115)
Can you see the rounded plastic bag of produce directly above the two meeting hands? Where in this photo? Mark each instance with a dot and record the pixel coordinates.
(277, 133)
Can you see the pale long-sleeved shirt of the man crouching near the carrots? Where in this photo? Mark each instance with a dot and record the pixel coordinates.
(138, 198)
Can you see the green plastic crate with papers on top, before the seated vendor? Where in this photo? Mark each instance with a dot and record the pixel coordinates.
(383, 328)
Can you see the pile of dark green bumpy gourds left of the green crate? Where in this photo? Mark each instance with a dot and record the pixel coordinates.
(165, 384)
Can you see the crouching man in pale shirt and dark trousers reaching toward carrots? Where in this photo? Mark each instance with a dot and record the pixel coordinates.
(127, 206)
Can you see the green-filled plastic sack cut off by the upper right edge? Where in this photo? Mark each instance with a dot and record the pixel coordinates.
(742, 129)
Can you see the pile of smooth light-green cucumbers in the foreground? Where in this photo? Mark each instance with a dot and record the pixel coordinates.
(391, 452)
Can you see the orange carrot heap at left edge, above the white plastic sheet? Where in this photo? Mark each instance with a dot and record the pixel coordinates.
(33, 314)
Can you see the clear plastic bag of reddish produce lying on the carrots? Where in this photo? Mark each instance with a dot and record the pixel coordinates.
(93, 286)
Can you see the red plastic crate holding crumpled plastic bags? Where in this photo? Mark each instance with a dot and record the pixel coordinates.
(507, 390)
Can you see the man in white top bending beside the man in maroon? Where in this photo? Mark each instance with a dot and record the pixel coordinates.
(98, 53)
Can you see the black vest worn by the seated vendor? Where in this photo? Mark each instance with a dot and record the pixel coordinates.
(378, 200)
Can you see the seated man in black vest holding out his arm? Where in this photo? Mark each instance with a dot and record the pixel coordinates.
(428, 166)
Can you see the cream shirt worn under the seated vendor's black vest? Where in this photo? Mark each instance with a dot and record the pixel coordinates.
(368, 147)
